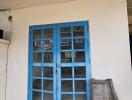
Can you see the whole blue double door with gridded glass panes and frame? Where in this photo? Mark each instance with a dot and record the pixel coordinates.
(59, 66)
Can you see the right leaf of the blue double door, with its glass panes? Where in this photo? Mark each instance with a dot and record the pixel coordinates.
(72, 53)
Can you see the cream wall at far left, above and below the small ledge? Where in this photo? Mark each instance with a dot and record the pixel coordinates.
(6, 26)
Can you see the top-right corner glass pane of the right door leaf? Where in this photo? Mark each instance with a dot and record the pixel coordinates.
(78, 31)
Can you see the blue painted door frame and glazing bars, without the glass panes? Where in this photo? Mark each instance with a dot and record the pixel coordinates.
(57, 64)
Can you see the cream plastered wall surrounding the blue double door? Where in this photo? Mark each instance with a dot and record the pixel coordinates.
(110, 54)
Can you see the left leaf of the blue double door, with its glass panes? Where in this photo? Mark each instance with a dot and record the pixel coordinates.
(43, 64)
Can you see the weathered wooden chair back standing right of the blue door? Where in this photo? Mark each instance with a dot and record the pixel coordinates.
(103, 90)
